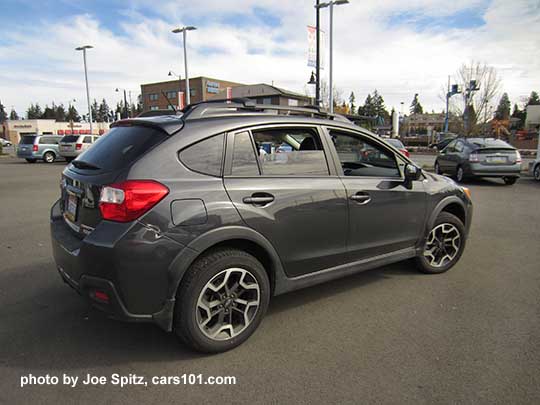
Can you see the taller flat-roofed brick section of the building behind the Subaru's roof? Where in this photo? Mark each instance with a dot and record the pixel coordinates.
(161, 95)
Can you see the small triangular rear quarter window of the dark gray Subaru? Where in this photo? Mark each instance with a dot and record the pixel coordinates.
(204, 157)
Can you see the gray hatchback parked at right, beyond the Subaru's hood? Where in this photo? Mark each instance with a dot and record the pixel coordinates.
(479, 157)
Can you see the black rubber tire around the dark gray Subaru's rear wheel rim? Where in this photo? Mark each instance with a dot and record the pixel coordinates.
(201, 272)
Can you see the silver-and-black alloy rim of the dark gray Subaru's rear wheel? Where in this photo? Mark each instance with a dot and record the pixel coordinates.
(228, 304)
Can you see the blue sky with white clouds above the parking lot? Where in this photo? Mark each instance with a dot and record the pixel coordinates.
(398, 47)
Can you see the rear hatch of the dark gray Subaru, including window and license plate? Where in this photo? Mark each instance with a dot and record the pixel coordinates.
(107, 162)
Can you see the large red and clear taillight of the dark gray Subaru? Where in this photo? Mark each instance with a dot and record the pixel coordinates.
(127, 201)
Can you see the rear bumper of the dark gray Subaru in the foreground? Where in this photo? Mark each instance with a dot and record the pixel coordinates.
(113, 262)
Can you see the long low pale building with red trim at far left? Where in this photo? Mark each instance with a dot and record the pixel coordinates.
(13, 130)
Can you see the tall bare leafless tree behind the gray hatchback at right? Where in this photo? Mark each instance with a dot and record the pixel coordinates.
(481, 100)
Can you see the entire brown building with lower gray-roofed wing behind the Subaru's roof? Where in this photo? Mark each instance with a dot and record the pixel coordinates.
(164, 95)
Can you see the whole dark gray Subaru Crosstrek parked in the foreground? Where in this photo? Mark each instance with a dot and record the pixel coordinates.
(194, 221)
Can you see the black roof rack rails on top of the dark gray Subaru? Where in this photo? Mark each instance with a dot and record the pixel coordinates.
(240, 106)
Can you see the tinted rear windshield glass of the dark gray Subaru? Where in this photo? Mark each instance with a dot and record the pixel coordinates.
(121, 146)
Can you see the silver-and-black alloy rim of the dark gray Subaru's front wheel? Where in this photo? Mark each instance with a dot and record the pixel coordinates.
(442, 245)
